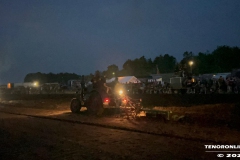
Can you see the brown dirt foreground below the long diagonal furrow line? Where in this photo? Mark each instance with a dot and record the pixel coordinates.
(33, 138)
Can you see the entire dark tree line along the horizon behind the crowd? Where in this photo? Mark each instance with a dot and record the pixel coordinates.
(222, 59)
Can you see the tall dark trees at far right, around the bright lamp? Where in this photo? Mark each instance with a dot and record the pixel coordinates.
(222, 59)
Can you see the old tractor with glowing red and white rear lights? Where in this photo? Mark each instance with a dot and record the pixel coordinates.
(97, 99)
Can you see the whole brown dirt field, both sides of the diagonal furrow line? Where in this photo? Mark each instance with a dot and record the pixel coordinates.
(107, 137)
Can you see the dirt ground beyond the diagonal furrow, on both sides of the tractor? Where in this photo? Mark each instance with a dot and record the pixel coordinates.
(208, 122)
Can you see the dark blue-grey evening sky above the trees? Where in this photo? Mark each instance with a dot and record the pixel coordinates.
(82, 36)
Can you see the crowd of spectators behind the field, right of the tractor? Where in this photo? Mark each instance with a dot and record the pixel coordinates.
(197, 85)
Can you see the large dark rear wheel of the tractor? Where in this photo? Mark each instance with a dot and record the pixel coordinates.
(95, 106)
